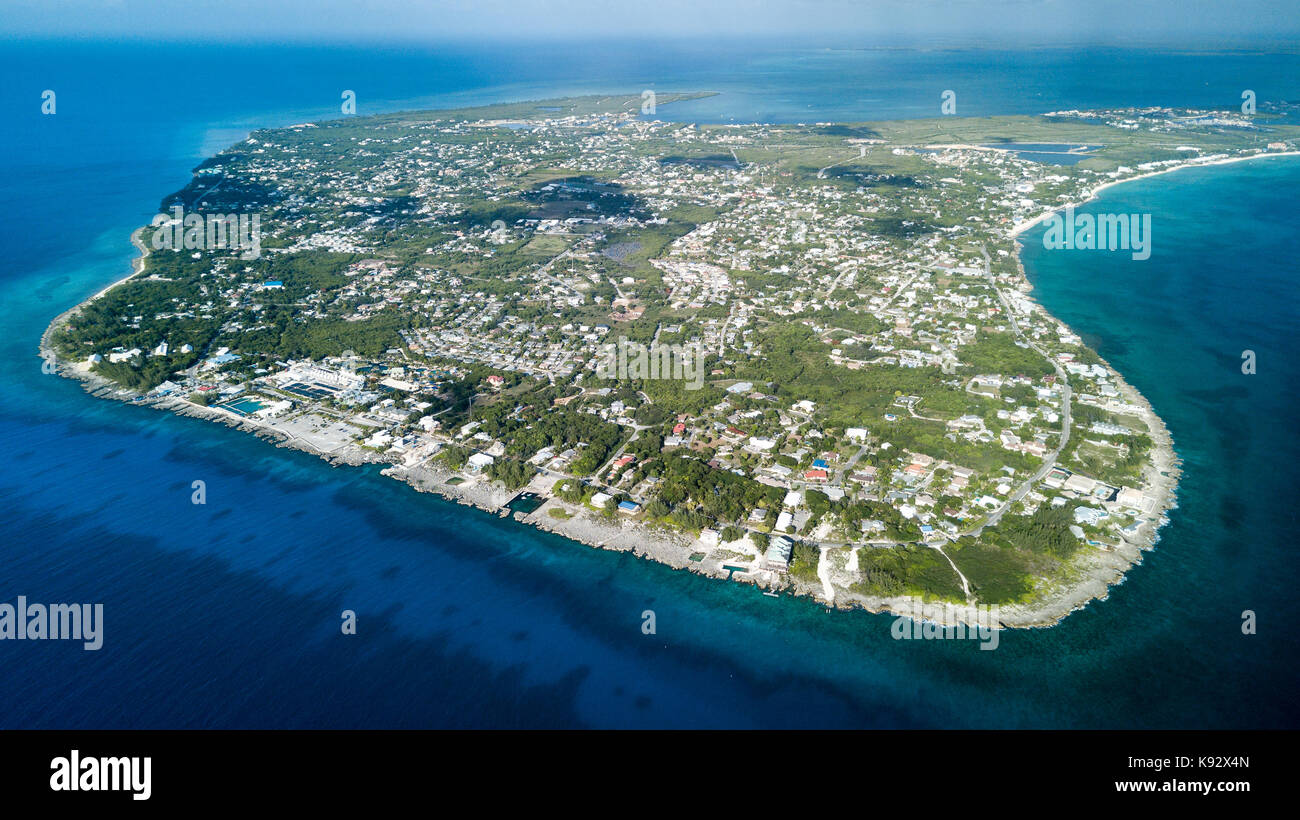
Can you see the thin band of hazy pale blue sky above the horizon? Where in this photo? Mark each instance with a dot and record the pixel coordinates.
(1043, 21)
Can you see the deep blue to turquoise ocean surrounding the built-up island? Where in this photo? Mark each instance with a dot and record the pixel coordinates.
(228, 614)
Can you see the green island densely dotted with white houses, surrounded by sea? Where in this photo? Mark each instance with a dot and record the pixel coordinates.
(803, 357)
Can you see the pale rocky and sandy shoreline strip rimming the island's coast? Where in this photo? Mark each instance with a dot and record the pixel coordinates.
(1091, 574)
